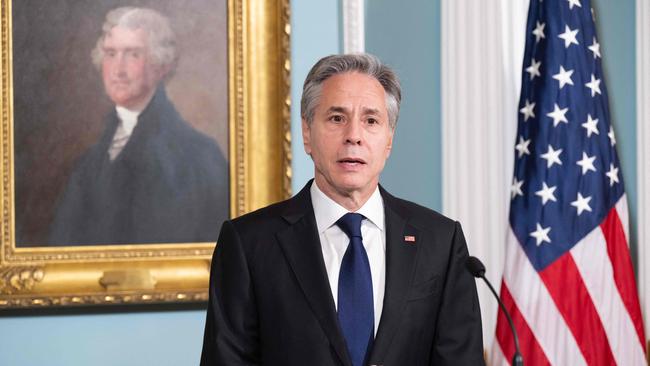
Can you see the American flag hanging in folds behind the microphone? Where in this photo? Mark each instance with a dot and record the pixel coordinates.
(568, 279)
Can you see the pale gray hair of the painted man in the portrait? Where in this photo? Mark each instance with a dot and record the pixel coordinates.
(161, 38)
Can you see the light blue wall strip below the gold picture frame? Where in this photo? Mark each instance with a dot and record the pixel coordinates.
(154, 338)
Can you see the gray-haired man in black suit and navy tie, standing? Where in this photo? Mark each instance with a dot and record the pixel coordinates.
(343, 273)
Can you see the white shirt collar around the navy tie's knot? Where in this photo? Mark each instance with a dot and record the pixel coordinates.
(327, 211)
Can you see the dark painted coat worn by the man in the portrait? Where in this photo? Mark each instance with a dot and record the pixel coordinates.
(169, 184)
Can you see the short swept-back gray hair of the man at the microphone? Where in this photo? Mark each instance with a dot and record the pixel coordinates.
(338, 64)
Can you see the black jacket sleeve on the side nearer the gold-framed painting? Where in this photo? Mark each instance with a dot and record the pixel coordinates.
(231, 328)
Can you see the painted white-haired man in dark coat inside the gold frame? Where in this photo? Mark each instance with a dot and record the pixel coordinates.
(151, 177)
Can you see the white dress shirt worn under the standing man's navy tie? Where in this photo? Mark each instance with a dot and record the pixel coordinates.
(334, 241)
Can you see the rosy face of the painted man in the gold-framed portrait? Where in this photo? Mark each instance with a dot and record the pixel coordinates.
(129, 77)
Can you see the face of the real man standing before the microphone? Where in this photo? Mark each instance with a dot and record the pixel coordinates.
(349, 139)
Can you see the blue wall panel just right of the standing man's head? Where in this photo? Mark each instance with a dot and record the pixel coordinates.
(408, 39)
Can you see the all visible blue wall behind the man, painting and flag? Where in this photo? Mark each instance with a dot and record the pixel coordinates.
(406, 37)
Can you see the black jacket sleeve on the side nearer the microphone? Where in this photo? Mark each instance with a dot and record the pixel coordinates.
(459, 337)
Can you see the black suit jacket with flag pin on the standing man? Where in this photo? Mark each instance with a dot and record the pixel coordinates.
(271, 304)
